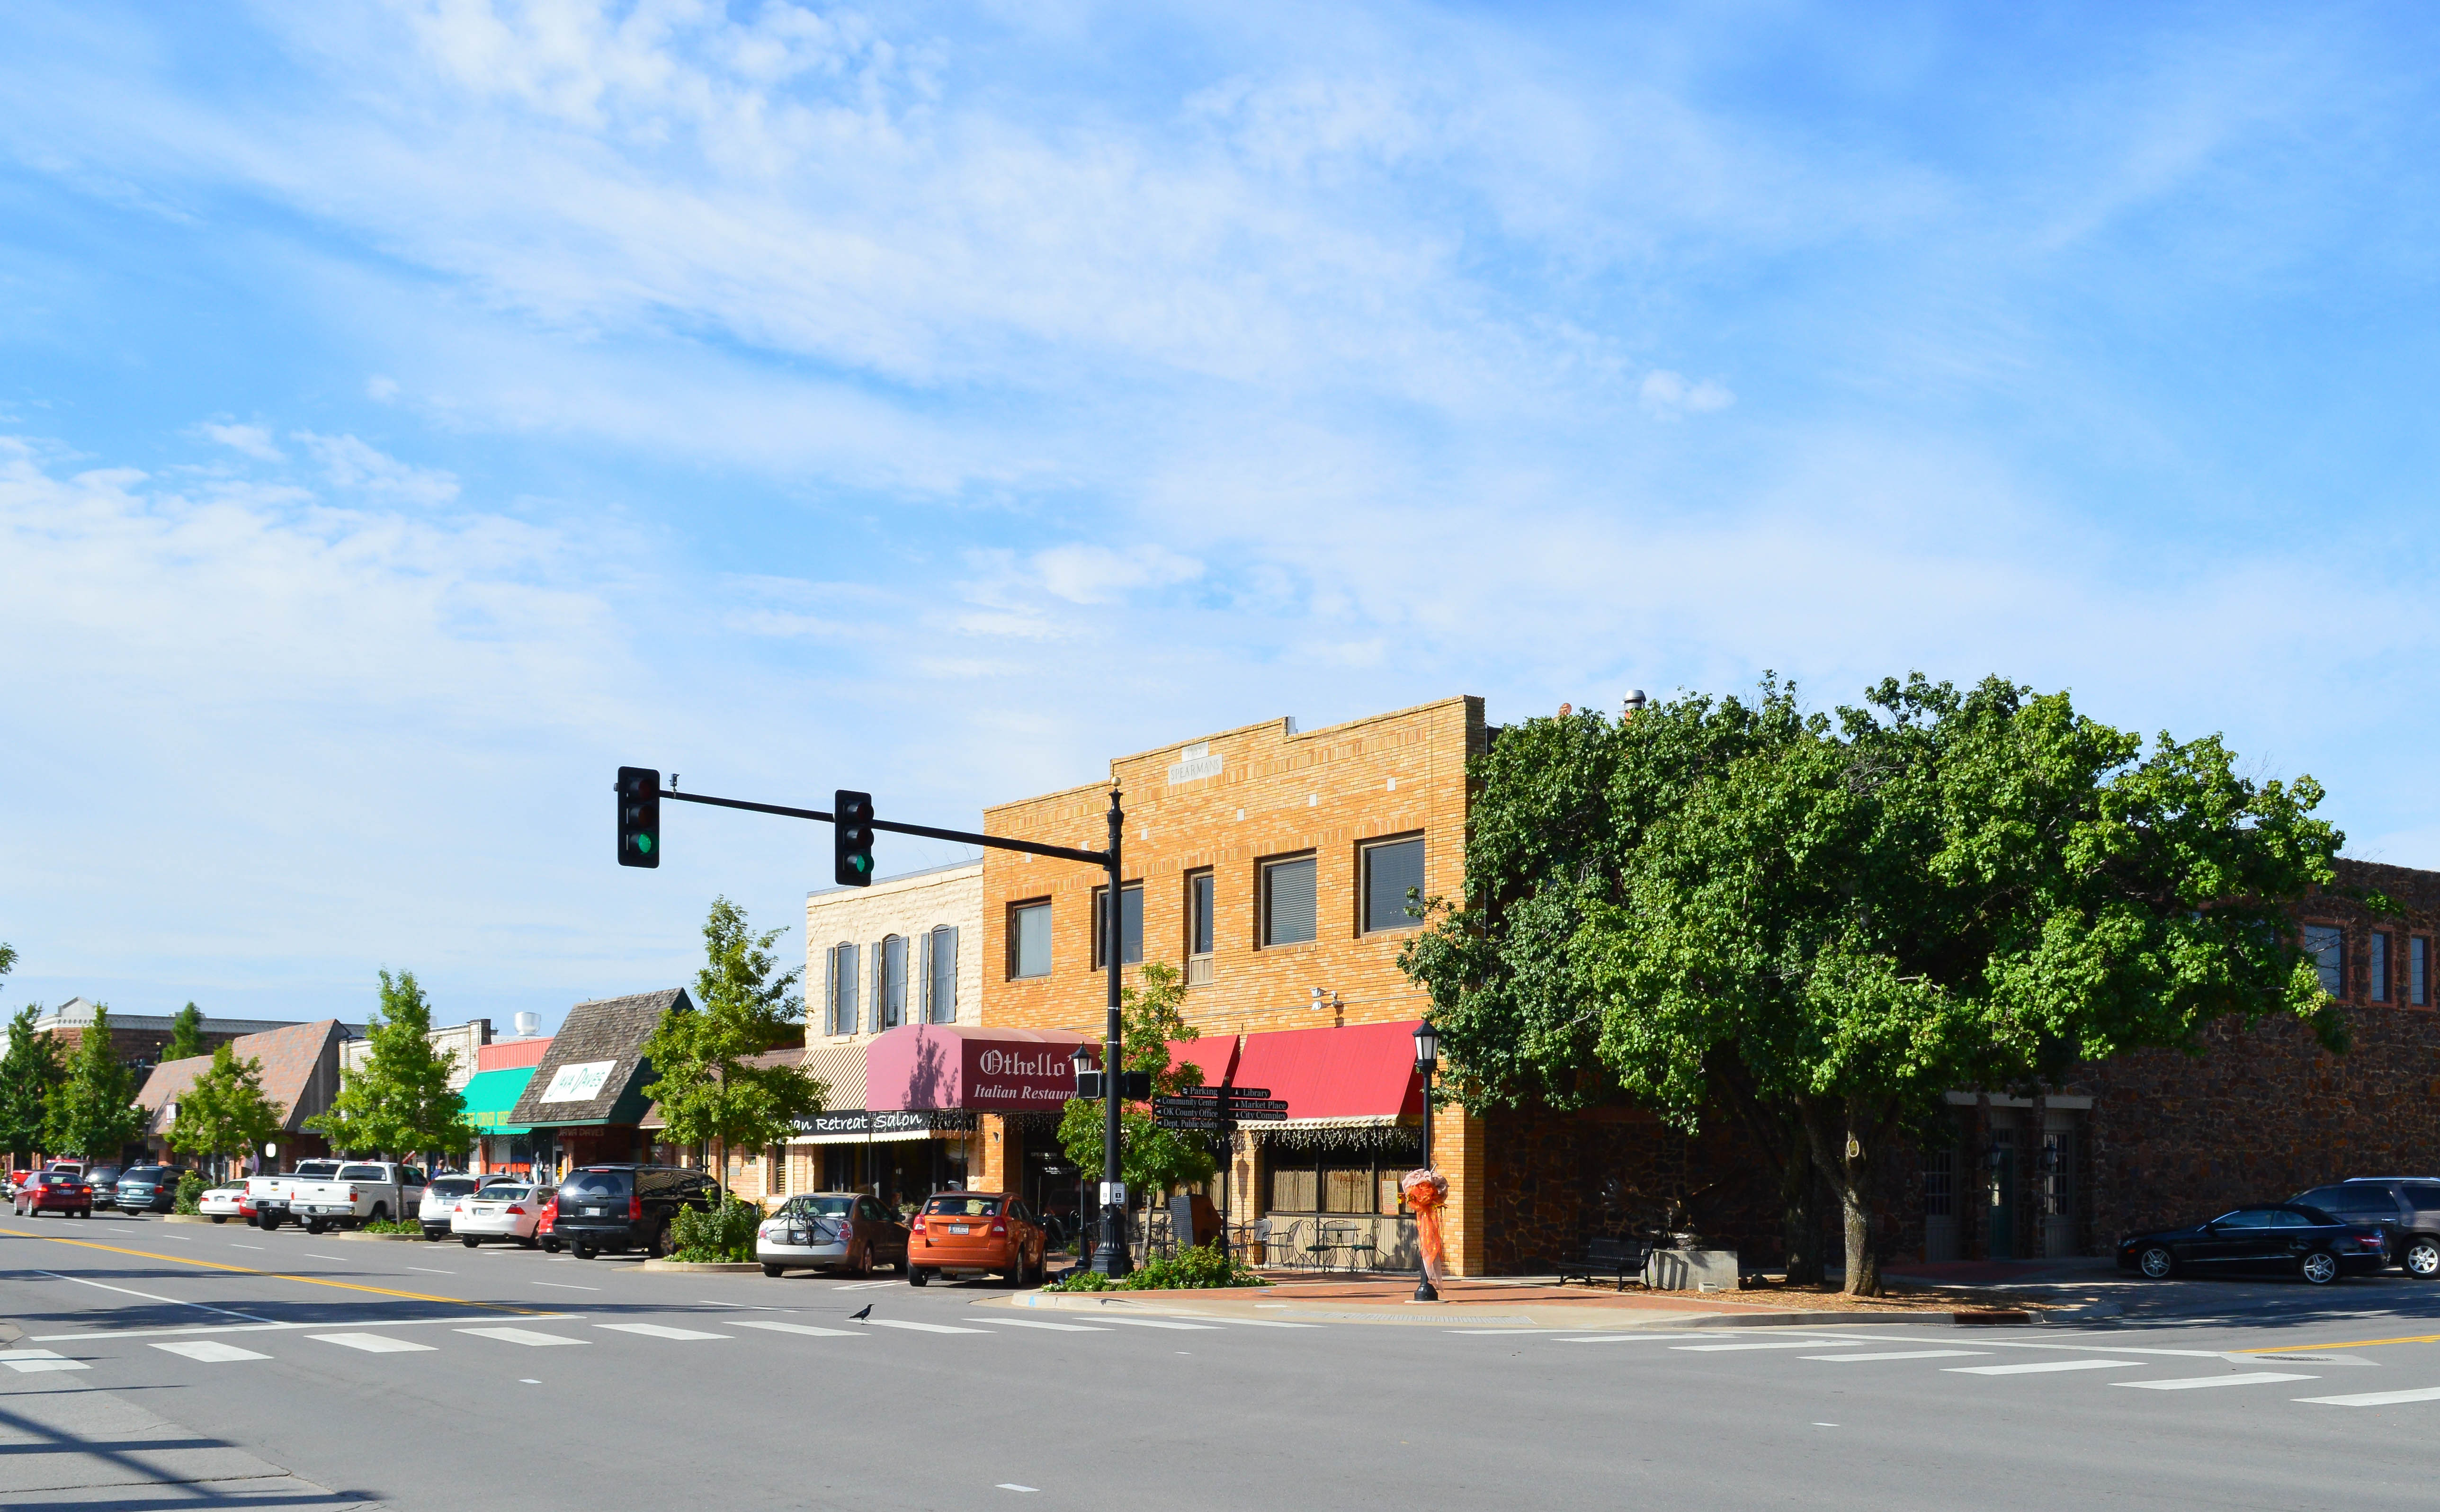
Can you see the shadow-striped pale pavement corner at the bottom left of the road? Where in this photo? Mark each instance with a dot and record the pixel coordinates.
(65, 1447)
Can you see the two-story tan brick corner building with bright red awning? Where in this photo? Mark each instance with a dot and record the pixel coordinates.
(1275, 869)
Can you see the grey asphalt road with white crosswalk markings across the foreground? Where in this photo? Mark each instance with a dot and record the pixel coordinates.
(177, 1364)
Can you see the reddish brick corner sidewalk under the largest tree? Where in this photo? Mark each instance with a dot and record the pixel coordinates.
(1499, 1303)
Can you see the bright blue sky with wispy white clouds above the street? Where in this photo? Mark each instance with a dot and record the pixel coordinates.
(411, 413)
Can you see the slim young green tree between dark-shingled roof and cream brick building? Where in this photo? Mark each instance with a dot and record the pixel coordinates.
(706, 1082)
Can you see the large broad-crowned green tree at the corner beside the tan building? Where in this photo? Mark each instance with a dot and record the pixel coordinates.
(1848, 916)
